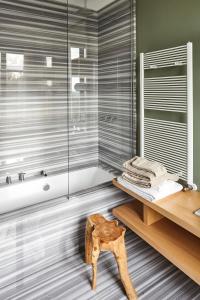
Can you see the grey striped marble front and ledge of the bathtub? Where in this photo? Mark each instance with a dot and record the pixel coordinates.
(33, 238)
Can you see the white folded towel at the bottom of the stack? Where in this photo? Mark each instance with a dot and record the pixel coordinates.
(166, 188)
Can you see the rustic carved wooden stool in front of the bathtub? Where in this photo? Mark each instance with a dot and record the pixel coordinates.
(104, 235)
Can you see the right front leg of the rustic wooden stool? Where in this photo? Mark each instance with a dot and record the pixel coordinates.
(121, 258)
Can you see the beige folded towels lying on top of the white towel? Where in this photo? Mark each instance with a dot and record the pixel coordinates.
(146, 173)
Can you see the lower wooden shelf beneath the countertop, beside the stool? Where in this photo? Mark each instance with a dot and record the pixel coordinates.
(174, 242)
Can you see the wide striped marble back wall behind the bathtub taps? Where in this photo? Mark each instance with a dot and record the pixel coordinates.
(40, 117)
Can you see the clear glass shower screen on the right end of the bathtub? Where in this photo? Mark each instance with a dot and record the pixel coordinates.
(101, 60)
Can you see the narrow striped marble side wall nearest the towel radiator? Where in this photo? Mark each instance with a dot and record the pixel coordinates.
(117, 111)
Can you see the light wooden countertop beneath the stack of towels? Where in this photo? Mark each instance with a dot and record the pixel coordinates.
(178, 207)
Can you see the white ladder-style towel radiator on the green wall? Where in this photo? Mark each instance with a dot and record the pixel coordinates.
(161, 139)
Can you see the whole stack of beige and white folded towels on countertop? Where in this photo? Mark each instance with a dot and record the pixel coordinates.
(149, 179)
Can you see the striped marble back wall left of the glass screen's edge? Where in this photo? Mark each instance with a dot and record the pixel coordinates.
(33, 88)
